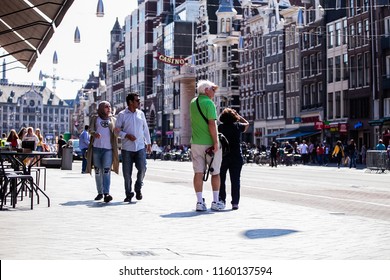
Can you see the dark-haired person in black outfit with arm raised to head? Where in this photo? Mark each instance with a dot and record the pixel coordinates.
(232, 125)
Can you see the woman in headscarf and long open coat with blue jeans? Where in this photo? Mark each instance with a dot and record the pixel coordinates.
(103, 150)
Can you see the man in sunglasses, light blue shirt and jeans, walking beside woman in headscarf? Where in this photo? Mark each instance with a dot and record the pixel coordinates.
(132, 128)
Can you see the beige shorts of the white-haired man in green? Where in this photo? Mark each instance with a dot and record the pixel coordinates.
(199, 159)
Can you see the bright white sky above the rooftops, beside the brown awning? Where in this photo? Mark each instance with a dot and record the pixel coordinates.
(75, 60)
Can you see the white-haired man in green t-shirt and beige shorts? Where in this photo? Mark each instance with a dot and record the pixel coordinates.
(205, 137)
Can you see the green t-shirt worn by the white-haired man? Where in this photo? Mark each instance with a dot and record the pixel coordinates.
(200, 129)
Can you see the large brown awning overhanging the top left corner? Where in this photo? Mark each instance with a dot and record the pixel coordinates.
(25, 31)
